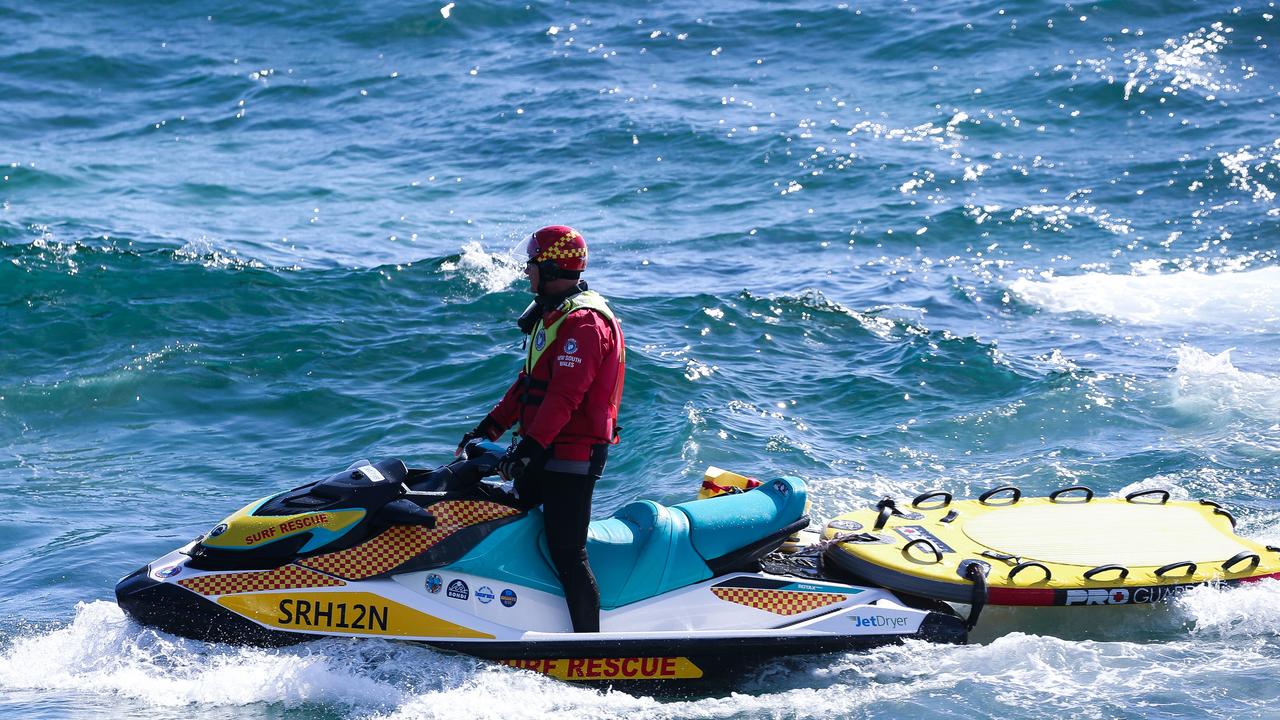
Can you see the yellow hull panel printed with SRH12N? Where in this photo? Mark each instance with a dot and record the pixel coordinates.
(348, 613)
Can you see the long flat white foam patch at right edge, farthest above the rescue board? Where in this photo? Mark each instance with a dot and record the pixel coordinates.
(1249, 299)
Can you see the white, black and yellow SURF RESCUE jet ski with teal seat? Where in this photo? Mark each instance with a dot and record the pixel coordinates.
(449, 559)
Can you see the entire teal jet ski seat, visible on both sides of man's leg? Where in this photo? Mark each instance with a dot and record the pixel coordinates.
(647, 549)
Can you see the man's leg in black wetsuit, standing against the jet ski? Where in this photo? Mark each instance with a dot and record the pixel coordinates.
(568, 509)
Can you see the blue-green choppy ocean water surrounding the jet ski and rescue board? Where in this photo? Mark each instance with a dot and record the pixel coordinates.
(884, 247)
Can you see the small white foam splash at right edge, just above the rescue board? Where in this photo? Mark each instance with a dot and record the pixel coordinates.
(1210, 386)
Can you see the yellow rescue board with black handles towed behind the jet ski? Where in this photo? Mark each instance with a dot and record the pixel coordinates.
(1068, 549)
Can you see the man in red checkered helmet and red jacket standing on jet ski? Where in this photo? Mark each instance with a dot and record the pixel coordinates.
(565, 405)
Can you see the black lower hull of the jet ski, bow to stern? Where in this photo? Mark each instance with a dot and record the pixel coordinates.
(179, 612)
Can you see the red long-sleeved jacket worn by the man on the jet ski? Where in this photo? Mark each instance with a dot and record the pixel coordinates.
(578, 405)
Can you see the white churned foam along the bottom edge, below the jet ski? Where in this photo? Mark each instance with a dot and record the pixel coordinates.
(103, 654)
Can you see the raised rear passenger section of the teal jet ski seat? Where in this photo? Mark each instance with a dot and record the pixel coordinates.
(720, 526)
